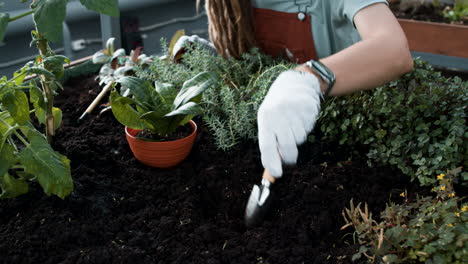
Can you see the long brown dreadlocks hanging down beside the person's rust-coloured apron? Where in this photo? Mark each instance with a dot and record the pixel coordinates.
(230, 26)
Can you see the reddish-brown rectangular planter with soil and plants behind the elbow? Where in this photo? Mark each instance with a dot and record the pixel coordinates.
(448, 39)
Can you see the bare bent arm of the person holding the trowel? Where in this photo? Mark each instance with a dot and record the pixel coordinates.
(382, 55)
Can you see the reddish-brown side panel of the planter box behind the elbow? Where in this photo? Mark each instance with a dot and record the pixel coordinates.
(437, 38)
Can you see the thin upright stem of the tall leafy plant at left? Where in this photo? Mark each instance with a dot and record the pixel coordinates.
(43, 47)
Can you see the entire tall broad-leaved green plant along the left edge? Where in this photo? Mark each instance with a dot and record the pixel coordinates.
(26, 153)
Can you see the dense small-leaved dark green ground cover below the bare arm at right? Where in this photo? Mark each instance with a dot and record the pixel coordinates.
(417, 123)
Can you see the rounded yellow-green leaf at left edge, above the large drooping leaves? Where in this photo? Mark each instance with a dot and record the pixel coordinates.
(17, 103)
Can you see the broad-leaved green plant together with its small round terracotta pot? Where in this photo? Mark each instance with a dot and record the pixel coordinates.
(158, 118)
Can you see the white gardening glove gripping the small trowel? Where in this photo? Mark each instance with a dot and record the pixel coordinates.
(285, 118)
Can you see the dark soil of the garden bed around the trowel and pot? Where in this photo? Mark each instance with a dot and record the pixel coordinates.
(124, 212)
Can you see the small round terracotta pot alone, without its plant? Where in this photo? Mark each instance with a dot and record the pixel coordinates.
(160, 154)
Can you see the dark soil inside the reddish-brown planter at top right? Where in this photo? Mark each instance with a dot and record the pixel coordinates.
(423, 12)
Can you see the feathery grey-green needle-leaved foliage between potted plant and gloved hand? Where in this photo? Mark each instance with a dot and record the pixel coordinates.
(231, 106)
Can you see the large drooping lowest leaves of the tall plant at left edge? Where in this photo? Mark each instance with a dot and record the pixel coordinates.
(26, 155)
